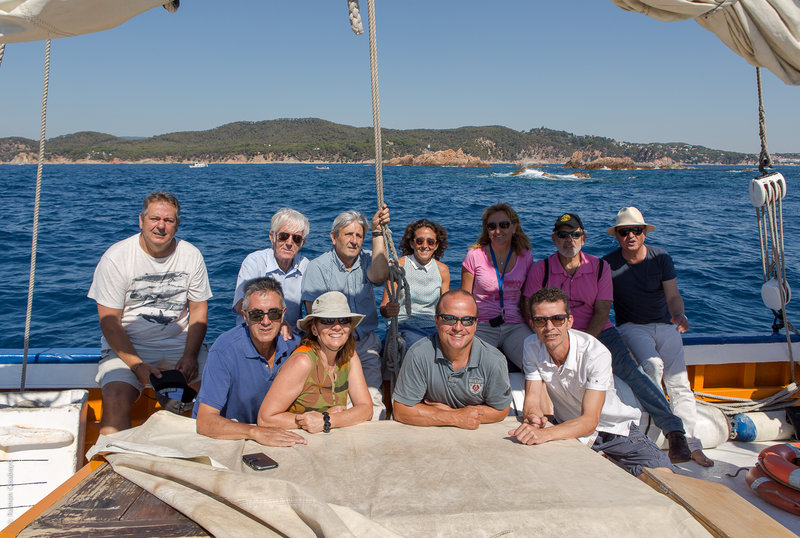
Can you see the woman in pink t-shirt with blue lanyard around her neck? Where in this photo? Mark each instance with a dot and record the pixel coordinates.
(494, 271)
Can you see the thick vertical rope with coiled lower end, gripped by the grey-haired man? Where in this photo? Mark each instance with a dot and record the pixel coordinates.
(397, 280)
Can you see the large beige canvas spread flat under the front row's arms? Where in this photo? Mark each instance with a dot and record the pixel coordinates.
(384, 478)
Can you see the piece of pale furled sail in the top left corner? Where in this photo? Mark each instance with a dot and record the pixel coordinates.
(34, 20)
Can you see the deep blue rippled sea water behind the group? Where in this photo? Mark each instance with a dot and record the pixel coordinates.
(703, 218)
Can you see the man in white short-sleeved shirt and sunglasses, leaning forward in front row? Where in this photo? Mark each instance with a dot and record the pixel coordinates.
(576, 370)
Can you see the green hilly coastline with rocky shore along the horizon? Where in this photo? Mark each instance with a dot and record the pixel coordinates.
(318, 141)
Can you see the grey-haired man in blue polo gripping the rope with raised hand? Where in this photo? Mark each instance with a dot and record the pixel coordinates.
(353, 271)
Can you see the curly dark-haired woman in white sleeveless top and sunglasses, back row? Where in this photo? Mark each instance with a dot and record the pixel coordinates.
(427, 279)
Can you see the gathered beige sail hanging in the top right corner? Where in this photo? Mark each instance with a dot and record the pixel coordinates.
(766, 33)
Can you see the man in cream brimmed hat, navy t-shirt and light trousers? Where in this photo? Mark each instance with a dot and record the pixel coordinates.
(650, 315)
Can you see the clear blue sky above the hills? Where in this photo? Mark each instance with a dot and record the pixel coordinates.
(582, 66)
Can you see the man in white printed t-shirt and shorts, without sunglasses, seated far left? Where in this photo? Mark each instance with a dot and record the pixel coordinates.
(151, 291)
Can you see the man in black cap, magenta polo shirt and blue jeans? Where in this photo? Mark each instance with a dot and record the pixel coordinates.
(586, 281)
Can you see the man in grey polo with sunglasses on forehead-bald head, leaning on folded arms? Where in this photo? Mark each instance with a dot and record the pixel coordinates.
(452, 378)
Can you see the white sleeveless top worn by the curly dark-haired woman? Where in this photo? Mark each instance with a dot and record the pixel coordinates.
(425, 286)
